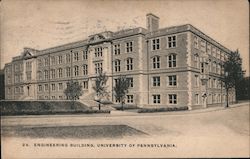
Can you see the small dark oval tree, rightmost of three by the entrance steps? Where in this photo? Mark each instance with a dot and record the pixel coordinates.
(121, 89)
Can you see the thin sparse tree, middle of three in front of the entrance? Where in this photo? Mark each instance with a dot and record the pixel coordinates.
(100, 87)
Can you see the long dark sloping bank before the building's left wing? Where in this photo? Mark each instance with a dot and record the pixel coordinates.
(45, 108)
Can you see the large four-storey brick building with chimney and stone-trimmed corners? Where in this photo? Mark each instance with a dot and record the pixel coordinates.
(177, 65)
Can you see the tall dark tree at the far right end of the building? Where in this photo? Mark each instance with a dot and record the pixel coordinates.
(233, 72)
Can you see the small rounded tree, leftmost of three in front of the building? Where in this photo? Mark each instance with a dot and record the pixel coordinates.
(73, 91)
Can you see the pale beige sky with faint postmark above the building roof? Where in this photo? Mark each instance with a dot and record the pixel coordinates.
(47, 23)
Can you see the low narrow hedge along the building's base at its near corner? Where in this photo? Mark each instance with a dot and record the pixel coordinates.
(152, 110)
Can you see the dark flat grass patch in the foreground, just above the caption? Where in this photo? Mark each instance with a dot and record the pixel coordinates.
(80, 132)
